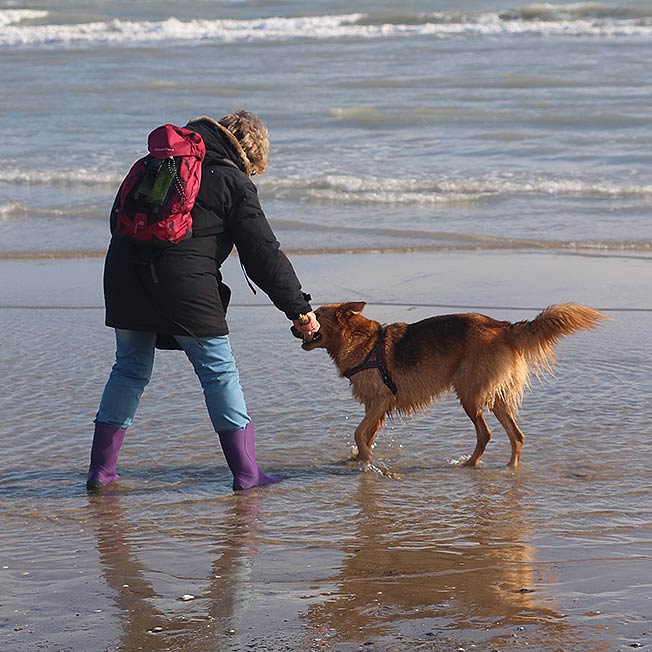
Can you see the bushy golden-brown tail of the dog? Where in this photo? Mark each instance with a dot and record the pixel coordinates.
(536, 338)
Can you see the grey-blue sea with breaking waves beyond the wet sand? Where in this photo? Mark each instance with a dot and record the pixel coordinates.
(424, 125)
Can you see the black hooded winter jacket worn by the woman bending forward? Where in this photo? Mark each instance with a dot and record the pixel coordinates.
(179, 290)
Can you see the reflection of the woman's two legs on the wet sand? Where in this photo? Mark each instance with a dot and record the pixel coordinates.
(211, 624)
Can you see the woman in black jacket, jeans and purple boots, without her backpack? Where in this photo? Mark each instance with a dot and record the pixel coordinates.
(173, 297)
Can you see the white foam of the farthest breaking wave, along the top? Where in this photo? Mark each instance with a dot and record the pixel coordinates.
(577, 19)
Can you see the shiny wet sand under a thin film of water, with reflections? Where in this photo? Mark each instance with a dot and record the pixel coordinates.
(556, 556)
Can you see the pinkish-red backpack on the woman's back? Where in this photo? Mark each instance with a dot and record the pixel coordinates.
(158, 193)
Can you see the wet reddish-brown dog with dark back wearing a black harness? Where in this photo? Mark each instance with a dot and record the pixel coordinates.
(402, 368)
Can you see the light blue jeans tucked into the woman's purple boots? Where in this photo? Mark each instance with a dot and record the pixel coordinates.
(213, 362)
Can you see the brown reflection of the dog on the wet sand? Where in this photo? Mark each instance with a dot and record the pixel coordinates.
(476, 580)
